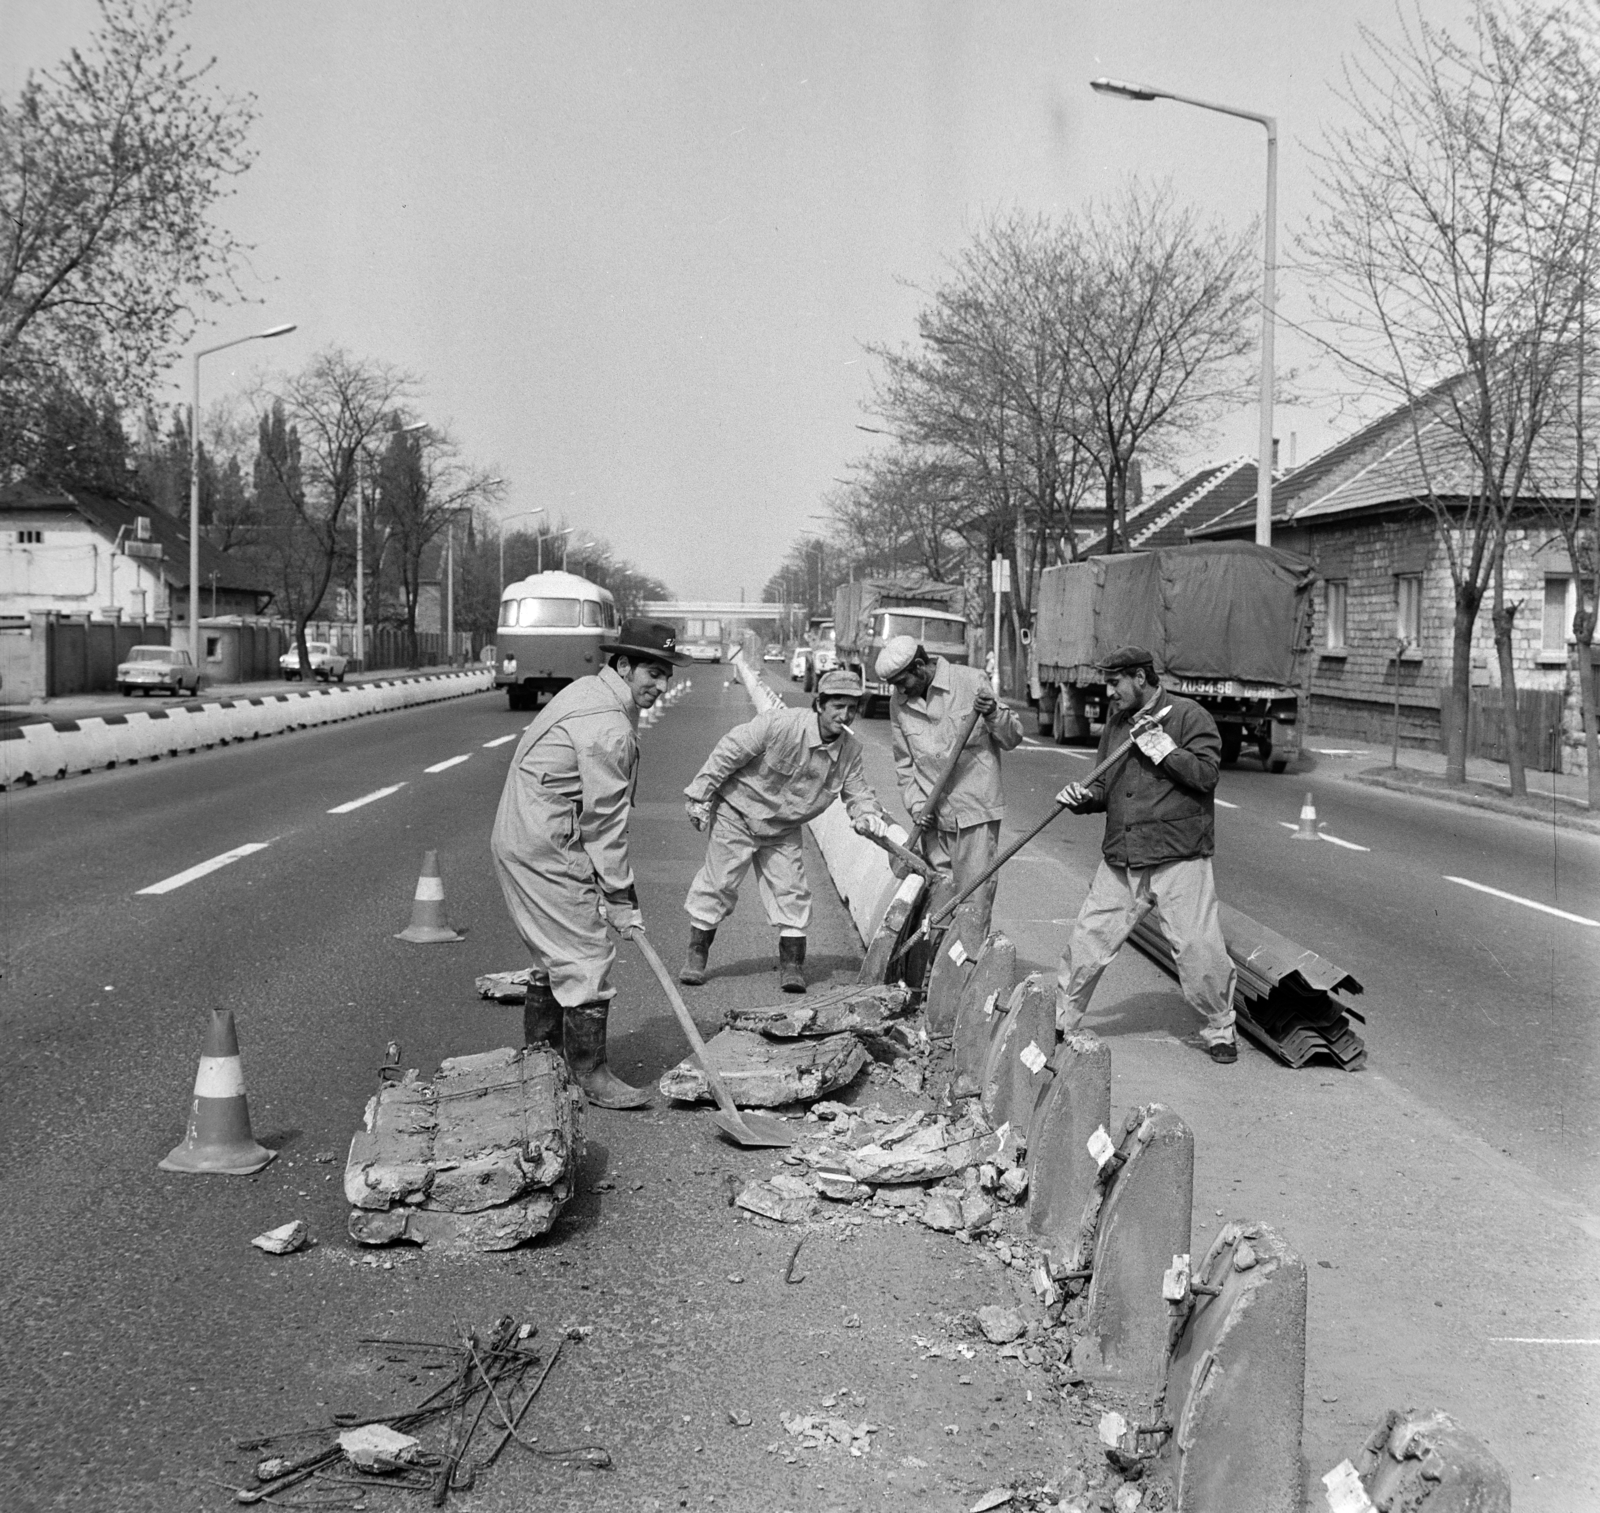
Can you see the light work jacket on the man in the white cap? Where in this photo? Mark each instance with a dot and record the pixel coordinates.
(926, 733)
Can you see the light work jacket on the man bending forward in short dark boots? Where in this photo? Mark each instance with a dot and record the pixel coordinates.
(777, 773)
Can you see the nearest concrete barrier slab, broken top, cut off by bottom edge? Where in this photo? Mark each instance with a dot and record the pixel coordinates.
(1423, 1461)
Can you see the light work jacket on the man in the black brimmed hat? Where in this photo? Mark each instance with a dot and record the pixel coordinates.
(577, 765)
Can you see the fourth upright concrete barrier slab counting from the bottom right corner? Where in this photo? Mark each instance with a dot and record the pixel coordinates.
(1062, 1173)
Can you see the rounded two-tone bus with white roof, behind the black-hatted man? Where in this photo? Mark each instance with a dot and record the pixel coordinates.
(553, 628)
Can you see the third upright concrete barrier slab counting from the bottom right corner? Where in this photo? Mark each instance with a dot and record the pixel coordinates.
(1143, 1224)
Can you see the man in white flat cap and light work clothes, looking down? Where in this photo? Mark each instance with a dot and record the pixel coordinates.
(929, 709)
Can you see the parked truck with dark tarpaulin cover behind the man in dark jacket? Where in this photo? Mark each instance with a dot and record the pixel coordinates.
(1228, 626)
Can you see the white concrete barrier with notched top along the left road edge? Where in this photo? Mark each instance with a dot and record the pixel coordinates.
(36, 753)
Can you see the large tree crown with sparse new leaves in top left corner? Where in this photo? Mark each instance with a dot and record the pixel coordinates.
(111, 167)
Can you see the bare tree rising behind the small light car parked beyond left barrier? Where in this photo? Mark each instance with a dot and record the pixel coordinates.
(324, 420)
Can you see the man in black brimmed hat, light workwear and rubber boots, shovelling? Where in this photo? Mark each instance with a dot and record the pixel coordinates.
(561, 850)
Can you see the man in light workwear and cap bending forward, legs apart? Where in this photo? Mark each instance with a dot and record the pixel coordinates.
(759, 786)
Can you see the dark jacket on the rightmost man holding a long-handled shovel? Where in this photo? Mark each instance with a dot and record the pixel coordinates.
(1159, 813)
